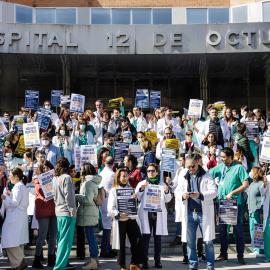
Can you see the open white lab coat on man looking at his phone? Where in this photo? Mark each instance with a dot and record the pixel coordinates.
(208, 189)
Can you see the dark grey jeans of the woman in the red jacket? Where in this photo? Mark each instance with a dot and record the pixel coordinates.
(45, 224)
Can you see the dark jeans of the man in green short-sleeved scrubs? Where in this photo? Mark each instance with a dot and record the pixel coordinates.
(240, 242)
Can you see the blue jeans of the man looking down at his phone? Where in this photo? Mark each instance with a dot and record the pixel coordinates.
(195, 220)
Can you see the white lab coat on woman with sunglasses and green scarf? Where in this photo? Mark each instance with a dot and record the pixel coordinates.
(162, 228)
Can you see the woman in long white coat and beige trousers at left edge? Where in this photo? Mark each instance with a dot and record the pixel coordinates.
(15, 227)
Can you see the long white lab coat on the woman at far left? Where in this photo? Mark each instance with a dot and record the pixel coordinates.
(15, 227)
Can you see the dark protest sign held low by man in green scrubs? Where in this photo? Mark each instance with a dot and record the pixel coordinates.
(228, 212)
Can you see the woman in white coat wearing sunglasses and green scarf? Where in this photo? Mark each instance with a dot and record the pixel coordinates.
(152, 222)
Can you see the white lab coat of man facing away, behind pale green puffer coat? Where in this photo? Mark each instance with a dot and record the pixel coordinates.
(107, 175)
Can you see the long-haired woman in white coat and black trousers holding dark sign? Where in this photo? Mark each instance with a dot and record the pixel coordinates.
(124, 225)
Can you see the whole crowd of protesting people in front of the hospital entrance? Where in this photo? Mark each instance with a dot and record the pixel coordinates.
(216, 161)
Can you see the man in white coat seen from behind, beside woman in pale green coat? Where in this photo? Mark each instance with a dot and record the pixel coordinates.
(107, 175)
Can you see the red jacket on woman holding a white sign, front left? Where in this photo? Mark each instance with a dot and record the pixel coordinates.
(43, 208)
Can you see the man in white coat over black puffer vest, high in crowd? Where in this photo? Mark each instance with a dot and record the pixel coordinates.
(218, 127)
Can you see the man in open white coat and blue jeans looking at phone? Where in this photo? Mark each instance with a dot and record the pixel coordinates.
(196, 190)
